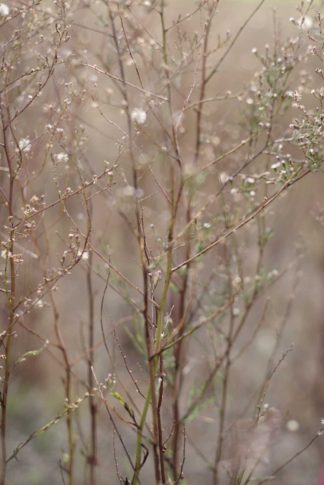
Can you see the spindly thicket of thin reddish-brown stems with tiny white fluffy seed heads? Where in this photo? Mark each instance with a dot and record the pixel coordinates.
(189, 188)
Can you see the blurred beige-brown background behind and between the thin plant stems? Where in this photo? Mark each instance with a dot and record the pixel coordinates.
(91, 136)
